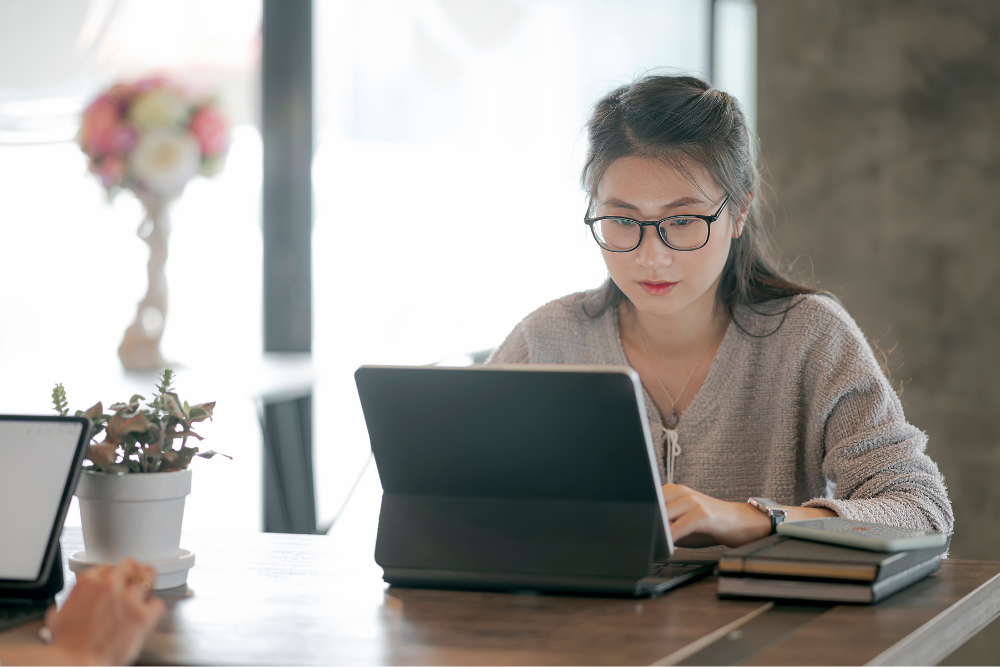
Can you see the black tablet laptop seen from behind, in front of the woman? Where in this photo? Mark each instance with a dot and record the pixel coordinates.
(518, 478)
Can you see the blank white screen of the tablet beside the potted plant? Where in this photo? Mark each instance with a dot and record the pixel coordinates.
(35, 460)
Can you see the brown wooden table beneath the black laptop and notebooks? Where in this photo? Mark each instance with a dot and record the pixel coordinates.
(302, 599)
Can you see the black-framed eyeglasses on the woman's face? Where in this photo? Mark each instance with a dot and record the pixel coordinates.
(682, 232)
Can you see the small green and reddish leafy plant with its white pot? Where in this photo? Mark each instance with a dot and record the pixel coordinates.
(135, 480)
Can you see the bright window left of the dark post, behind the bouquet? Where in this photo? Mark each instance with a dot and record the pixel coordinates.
(71, 266)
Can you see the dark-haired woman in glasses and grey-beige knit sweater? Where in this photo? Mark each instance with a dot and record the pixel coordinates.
(754, 385)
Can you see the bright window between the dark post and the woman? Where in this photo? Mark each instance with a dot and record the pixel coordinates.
(436, 122)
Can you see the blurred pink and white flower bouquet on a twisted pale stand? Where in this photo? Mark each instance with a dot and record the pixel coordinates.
(151, 137)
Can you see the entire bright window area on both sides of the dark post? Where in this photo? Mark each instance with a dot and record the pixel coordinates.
(436, 121)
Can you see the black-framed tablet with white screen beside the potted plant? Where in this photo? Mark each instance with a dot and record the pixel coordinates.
(40, 460)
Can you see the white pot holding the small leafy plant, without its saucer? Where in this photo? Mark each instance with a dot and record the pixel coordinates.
(133, 515)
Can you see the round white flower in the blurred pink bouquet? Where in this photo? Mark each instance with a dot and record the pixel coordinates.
(165, 161)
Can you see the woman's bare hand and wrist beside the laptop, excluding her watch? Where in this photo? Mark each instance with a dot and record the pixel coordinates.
(699, 520)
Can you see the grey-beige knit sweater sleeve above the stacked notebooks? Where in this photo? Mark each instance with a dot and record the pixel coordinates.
(872, 454)
